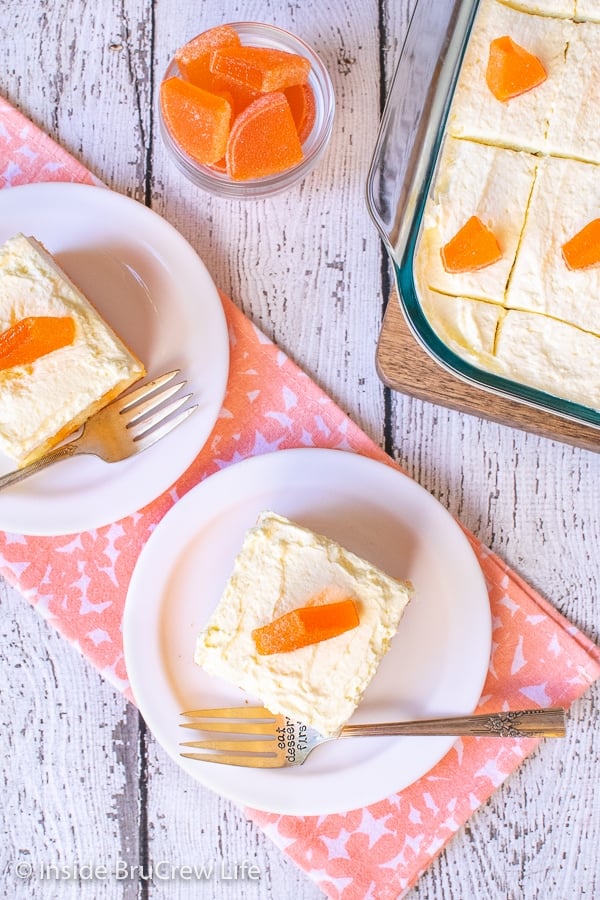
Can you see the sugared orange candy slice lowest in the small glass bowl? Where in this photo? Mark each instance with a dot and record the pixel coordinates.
(263, 139)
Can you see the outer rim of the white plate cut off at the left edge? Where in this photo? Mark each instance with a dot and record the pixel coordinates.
(79, 515)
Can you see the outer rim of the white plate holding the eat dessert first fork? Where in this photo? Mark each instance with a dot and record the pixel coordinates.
(130, 627)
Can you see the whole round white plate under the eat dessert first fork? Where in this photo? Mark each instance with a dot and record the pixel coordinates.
(438, 660)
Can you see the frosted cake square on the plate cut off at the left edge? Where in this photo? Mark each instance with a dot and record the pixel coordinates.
(45, 398)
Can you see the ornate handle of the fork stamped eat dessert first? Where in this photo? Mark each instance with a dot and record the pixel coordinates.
(514, 723)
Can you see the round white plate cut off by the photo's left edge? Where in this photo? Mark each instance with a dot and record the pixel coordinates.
(154, 290)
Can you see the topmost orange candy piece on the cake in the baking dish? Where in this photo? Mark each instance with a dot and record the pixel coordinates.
(512, 70)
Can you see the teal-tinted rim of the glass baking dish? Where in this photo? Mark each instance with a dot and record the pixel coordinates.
(402, 250)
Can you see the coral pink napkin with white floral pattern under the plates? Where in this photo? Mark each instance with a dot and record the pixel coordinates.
(79, 582)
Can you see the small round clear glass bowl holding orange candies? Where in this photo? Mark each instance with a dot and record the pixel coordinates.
(220, 184)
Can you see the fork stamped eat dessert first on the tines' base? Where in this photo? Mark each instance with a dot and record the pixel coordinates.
(264, 740)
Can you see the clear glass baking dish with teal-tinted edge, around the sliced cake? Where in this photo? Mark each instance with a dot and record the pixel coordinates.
(402, 173)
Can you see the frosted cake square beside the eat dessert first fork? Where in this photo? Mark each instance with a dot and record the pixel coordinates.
(283, 566)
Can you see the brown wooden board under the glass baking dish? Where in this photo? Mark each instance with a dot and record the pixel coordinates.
(404, 366)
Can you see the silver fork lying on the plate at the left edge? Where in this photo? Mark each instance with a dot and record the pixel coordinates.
(128, 425)
